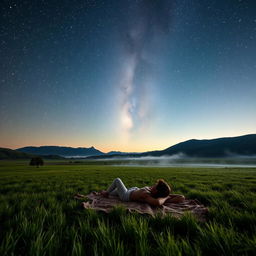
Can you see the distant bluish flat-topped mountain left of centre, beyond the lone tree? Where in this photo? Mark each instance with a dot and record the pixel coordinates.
(61, 151)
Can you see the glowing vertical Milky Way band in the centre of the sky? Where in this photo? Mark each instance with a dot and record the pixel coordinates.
(153, 20)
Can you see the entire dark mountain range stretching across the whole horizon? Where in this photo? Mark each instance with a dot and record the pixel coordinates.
(220, 147)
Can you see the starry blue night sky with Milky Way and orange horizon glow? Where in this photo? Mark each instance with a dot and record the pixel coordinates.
(126, 75)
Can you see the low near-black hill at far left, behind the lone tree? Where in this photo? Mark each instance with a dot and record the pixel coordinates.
(10, 154)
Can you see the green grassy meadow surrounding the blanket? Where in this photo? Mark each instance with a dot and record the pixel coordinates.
(38, 215)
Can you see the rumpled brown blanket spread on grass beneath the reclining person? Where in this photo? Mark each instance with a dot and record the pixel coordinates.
(99, 203)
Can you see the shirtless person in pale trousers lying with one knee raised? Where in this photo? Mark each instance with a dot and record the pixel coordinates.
(154, 196)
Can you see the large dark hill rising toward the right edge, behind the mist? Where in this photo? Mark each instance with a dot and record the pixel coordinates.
(221, 147)
